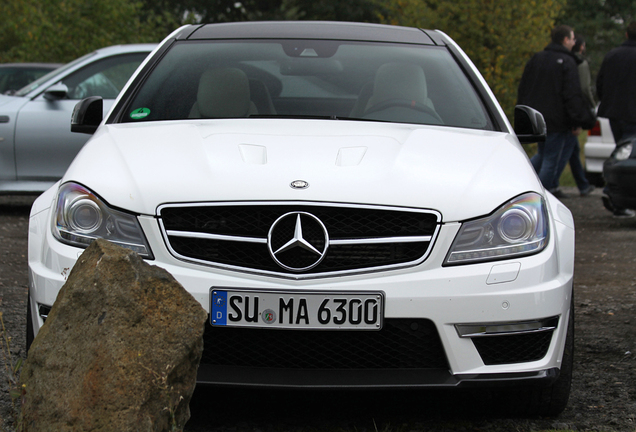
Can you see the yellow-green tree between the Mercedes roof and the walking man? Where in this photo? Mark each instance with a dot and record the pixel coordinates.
(498, 35)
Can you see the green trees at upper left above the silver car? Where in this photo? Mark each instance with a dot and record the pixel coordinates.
(61, 30)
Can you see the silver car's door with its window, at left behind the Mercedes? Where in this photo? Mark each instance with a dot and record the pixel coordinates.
(44, 144)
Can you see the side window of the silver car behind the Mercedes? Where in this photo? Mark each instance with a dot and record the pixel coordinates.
(103, 78)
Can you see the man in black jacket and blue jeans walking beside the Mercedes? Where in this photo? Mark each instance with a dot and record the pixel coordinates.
(550, 84)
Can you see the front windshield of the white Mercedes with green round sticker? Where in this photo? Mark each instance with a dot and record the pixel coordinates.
(402, 83)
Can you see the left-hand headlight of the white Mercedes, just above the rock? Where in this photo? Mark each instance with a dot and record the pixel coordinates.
(81, 217)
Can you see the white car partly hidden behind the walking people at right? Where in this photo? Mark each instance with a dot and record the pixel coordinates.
(599, 146)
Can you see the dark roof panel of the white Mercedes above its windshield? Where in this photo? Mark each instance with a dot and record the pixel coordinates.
(312, 30)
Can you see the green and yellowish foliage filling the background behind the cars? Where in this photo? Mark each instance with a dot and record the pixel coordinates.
(500, 36)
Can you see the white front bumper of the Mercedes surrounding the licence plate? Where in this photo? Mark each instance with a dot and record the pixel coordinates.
(502, 292)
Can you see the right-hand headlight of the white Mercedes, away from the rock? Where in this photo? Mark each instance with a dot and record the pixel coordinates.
(518, 228)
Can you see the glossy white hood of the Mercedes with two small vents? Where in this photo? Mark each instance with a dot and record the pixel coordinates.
(461, 173)
